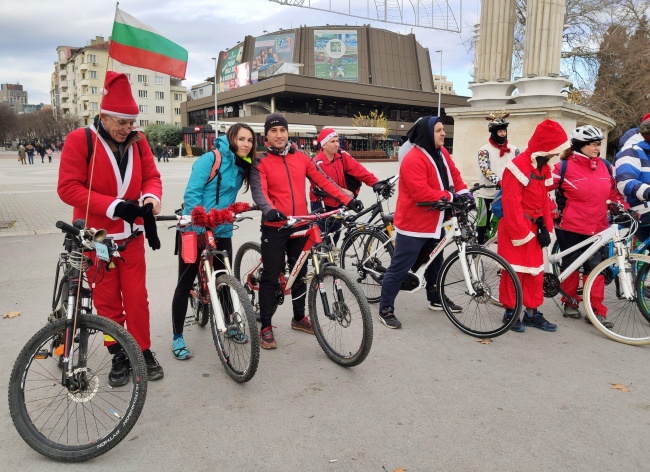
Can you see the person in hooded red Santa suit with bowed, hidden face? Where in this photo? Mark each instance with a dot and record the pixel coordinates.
(526, 225)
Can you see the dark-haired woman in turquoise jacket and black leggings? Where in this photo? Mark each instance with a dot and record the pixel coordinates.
(237, 150)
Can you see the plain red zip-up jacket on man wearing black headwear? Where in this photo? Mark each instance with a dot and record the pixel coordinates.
(278, 182)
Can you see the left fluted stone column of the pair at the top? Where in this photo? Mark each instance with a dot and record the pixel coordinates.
(495, 41)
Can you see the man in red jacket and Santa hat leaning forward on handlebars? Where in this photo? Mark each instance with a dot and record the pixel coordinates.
(335, 164)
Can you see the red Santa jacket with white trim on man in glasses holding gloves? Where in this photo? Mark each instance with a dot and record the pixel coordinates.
(142, 179)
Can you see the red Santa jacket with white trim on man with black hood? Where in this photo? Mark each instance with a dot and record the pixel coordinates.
(419, 181)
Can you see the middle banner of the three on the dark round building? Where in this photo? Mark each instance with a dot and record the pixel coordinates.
(271, 53)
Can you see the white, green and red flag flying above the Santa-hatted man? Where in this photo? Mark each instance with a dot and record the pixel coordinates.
(136, 44)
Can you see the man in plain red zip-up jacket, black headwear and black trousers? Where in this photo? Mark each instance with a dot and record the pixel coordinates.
(277, 183)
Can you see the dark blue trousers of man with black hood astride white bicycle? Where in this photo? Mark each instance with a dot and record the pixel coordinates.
(406, 256)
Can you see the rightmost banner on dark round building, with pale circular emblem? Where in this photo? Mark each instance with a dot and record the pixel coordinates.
(335, 55)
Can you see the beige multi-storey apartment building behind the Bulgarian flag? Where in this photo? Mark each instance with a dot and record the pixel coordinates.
(78, 81)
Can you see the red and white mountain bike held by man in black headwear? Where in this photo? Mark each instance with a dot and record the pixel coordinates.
(342, 322)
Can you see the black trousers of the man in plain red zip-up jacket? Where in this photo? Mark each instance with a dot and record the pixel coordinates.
(275, 244)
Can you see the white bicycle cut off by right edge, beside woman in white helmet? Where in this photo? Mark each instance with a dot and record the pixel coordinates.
(628, 323)
